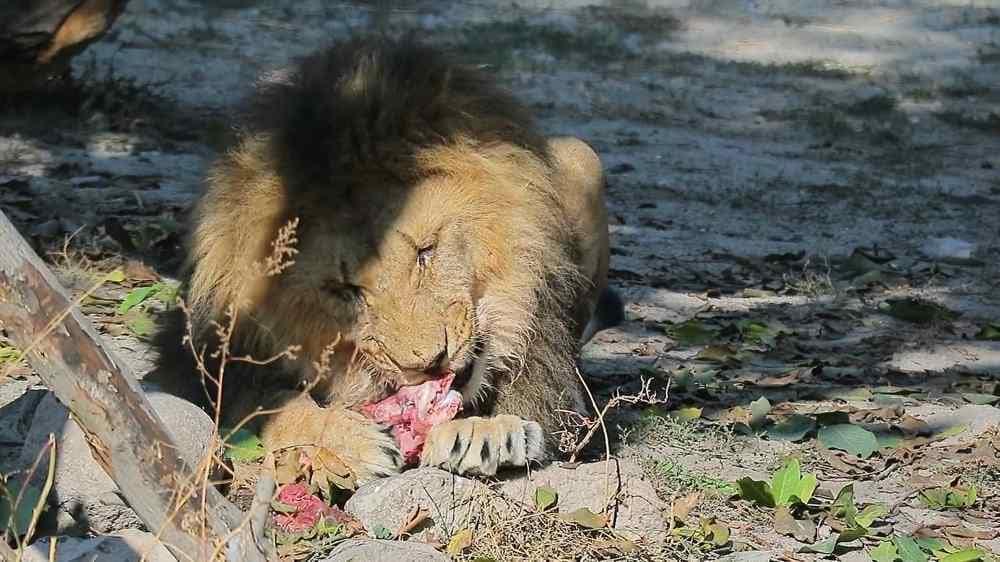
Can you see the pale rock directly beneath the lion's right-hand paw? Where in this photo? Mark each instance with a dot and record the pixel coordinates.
(590, 485)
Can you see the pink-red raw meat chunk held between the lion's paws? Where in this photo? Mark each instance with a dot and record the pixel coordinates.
(414, 410)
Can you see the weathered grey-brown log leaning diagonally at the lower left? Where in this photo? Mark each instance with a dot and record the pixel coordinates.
(124, 433)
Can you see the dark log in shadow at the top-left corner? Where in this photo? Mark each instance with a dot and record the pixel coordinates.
(39, 37)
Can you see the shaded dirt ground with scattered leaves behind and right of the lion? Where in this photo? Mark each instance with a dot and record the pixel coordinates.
(804, 198)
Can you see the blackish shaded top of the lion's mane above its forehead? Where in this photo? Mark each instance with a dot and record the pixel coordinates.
(367, 105)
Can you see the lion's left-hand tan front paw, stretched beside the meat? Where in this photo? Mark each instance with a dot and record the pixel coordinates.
(367, 448)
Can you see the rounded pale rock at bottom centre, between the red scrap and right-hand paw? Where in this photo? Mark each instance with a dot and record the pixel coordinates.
(388, 502)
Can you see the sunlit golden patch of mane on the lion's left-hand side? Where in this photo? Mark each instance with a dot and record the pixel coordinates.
(238, 218)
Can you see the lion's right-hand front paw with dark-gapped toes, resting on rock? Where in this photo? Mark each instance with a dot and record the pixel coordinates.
(482, 445)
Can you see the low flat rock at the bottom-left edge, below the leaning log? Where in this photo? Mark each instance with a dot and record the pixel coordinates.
(128, 545)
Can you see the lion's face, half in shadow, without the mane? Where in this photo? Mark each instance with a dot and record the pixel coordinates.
(394, 273)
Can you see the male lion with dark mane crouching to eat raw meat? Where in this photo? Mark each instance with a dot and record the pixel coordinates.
(438, 232)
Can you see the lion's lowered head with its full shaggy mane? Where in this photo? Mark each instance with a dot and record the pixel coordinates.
(428, 236)
